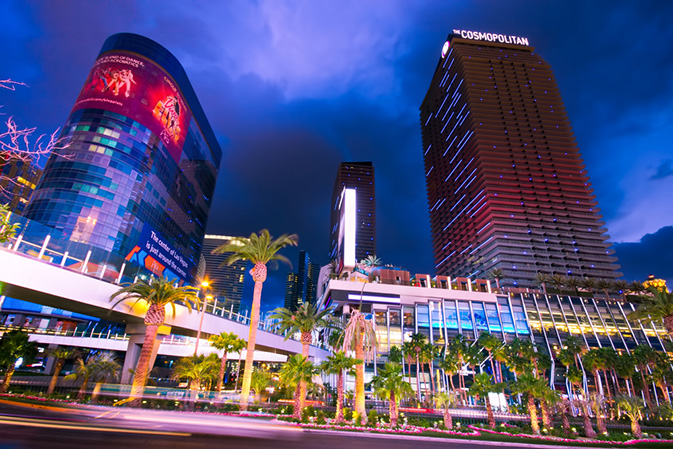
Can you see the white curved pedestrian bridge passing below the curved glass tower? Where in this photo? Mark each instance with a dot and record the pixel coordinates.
(28, 275)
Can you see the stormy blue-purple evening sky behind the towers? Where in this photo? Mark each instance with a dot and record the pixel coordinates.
(293, 88)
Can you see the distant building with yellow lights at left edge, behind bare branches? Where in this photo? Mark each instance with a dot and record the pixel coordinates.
(18, 179)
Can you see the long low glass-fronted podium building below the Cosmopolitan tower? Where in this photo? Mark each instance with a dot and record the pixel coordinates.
(443, 307)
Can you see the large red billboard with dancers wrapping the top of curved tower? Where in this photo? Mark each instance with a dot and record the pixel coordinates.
(137, 88)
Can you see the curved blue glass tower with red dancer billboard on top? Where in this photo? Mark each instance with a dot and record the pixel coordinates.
(136, 177)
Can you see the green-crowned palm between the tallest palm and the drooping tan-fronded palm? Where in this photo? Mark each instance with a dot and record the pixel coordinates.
(307, 319)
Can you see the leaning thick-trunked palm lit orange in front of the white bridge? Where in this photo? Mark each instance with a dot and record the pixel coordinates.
(157, 293)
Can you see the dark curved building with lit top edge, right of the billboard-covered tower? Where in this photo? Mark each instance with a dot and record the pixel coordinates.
(226, 281)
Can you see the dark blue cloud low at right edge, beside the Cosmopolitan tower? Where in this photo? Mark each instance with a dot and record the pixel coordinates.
(651, 255)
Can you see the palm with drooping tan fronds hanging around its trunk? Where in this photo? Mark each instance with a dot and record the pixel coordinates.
(360, 337)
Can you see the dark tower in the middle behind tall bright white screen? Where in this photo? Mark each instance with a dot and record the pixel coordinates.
(358, 176)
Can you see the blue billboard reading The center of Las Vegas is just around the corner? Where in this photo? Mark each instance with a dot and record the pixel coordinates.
(158, 256)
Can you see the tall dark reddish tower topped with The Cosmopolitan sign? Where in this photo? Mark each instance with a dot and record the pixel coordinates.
(506, 185)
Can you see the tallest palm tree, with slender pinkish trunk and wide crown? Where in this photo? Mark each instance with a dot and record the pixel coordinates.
(260, 250)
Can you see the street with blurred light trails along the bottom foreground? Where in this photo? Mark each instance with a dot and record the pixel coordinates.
(24, 427)
